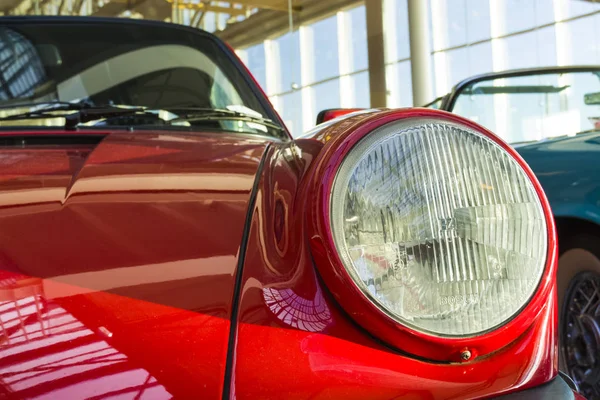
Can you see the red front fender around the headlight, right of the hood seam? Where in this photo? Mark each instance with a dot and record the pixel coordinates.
(294, 339)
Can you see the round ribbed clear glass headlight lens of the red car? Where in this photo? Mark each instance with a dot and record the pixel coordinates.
(439, 227)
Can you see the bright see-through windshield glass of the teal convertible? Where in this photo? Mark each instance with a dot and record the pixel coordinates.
(535, 106)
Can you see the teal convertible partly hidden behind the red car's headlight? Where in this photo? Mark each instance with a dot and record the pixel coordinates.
(552, 117)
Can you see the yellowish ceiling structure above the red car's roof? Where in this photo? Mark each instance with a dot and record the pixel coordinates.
(246, 21)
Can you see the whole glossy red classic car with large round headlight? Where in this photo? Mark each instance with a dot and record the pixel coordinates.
(162, 235)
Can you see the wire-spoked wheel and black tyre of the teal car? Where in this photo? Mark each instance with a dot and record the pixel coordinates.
(579, 313)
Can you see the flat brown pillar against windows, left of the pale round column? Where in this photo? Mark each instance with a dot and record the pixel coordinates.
(375, 46)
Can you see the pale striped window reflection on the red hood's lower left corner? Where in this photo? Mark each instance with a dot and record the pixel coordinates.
(48, 353)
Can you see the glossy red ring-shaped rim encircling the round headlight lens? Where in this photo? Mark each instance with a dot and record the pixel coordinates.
(350, 296)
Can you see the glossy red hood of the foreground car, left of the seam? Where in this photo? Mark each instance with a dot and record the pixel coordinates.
(117, 263)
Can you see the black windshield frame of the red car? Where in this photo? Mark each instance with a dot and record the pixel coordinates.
(232, 66)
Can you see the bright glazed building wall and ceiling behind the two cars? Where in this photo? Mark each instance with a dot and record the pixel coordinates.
(311, 55)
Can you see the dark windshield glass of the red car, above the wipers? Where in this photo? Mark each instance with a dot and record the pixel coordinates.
(157, 67)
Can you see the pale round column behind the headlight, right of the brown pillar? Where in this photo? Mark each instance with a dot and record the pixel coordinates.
(420, 52)
